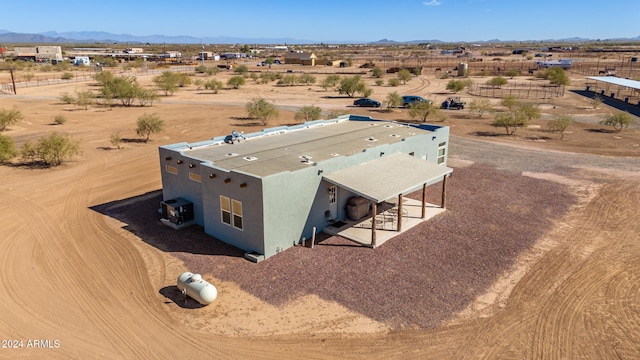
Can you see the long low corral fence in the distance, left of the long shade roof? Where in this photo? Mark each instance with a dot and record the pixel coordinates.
(518, 90)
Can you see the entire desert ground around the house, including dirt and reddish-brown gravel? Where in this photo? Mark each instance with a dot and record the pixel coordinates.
(537, 255)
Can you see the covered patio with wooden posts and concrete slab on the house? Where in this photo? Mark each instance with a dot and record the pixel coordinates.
(383, 182)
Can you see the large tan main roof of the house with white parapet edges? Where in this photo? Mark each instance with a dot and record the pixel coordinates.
(292, 148)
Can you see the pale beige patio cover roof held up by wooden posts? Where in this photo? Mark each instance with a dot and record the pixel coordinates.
(388, 176)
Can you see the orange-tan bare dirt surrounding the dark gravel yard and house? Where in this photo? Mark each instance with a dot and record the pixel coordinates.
(90, 285)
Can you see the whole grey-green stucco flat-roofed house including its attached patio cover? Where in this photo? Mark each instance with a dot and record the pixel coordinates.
(267, 191)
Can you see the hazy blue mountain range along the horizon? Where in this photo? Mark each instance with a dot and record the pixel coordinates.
(109, 38)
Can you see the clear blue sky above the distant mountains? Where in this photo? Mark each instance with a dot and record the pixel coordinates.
(332, 20)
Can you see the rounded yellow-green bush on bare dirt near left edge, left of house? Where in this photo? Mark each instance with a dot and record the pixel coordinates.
(51, 150)
